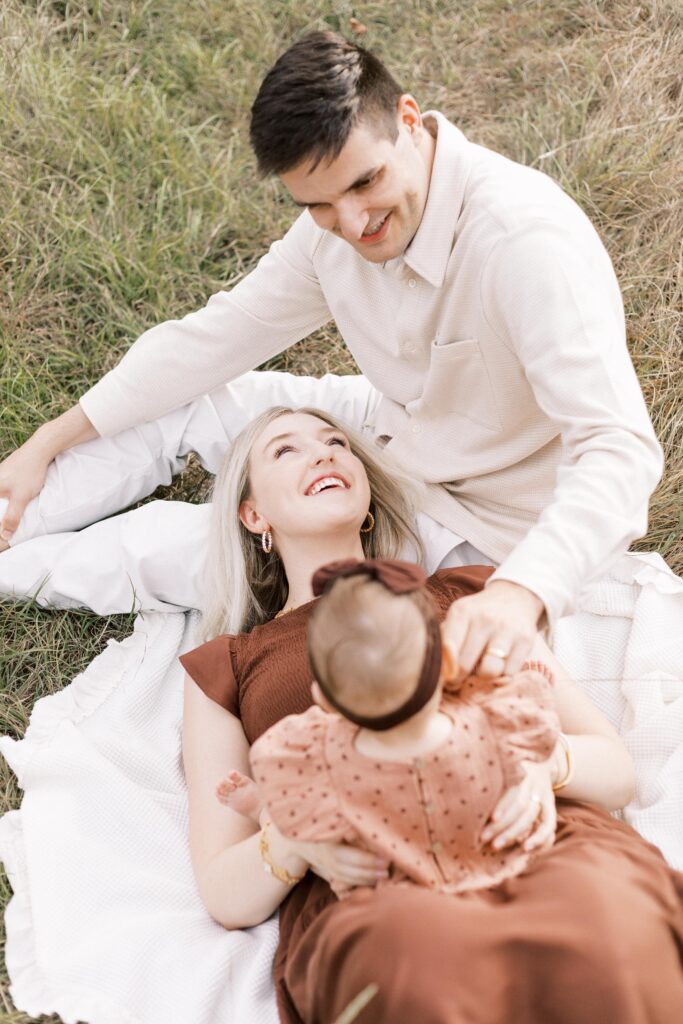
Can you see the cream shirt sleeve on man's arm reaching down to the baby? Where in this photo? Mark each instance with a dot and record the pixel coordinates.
(565, 320)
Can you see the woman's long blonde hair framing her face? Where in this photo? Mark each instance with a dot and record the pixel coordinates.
(245, 587)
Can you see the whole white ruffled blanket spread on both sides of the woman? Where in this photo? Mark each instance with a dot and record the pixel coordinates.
(106, 925)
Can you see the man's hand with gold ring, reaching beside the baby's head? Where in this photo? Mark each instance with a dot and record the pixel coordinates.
(493, 631)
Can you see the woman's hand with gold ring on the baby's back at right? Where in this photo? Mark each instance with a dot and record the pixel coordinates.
(527, 813)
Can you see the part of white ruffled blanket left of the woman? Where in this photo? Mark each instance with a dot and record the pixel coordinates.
(106, 925)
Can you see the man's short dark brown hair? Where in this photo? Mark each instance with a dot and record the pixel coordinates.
(313, 98)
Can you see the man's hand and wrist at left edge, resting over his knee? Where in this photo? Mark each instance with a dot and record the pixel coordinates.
(23, 474)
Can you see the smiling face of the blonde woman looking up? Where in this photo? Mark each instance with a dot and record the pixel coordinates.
(305, 481)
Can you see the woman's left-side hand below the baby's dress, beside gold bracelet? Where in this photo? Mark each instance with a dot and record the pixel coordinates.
(333, 862)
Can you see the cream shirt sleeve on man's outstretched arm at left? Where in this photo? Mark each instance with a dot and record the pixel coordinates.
(280, 303)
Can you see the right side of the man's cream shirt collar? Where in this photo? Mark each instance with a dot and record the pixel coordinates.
(431, 249)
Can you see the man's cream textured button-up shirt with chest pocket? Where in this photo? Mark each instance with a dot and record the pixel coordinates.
(498, 344)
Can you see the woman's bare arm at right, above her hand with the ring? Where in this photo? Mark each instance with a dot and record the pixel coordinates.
(604, 771)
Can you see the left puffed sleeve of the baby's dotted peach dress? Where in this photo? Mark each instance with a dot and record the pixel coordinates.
(290, 767)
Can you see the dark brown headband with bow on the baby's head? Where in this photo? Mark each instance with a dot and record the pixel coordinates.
(400, 578)
